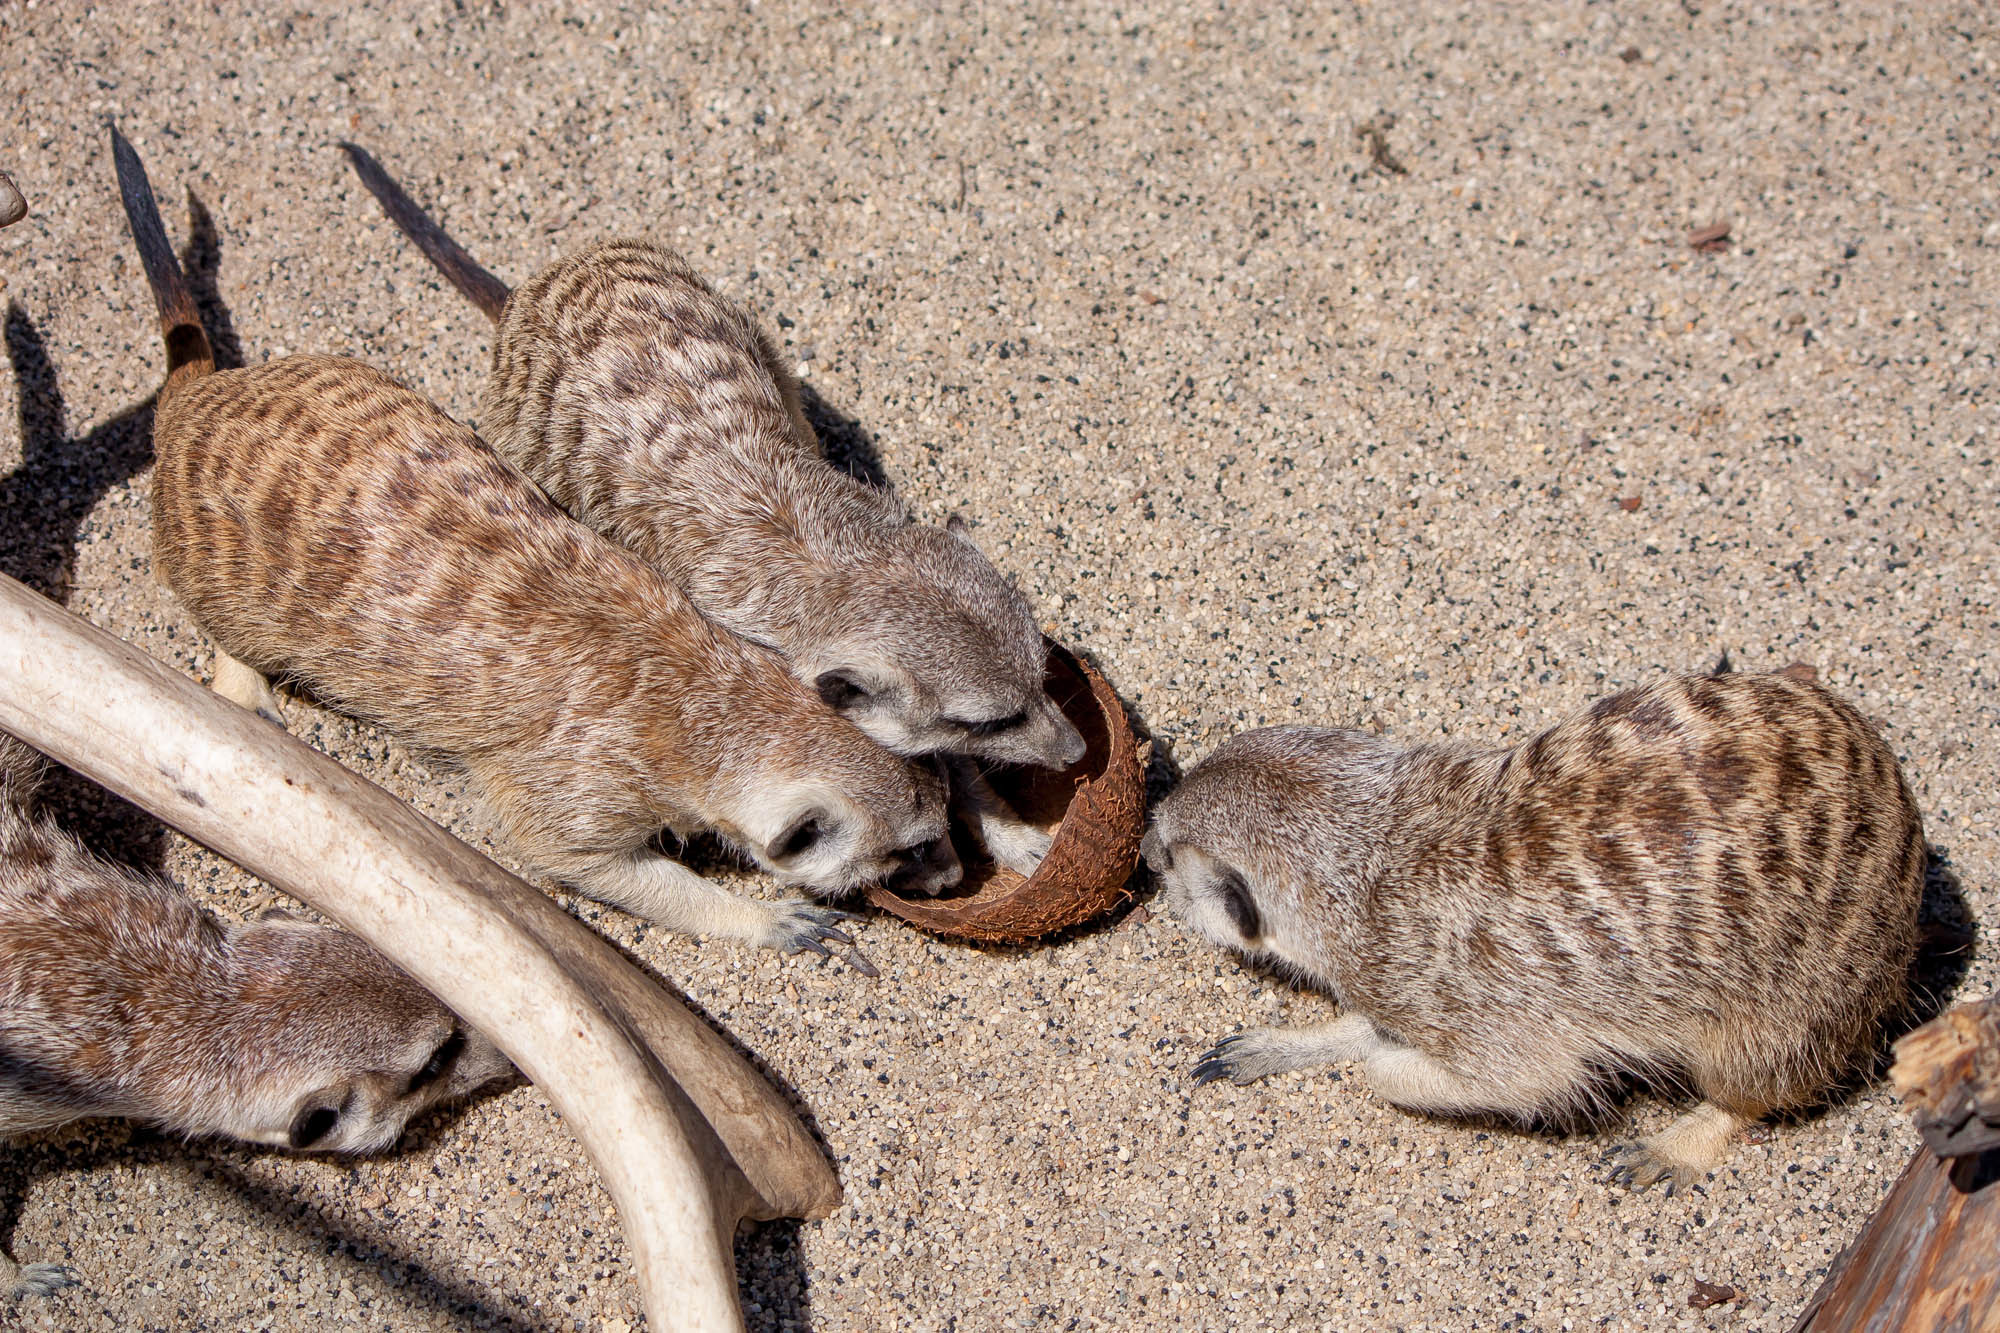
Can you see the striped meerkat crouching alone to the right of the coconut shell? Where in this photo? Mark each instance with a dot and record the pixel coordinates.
(1713, 880)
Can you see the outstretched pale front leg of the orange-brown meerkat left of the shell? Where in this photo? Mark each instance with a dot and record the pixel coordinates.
(669, 894)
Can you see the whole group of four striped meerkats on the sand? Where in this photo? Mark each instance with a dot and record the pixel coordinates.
(641, 601)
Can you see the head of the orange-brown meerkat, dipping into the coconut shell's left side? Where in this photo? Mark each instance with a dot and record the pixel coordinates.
(845, 816)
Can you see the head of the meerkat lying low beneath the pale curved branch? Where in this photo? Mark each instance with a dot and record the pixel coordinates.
(343, 1050)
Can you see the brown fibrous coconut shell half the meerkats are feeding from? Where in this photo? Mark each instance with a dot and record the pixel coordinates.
(1095, 810)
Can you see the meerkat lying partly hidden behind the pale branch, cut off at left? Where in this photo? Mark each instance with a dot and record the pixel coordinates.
(123, 998)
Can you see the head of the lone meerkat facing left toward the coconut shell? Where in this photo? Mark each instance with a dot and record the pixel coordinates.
(1261, 830)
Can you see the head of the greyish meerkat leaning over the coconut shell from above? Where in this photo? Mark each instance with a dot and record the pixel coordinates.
(941, 655)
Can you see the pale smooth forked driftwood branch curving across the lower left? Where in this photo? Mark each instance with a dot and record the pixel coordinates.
(617, 1058)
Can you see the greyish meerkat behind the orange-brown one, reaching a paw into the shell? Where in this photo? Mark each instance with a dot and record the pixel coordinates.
(659, 413)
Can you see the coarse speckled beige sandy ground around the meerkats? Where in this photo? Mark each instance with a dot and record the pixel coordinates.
(1451, 443)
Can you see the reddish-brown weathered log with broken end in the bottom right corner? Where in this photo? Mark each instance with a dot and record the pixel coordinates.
(1929, 1260)
